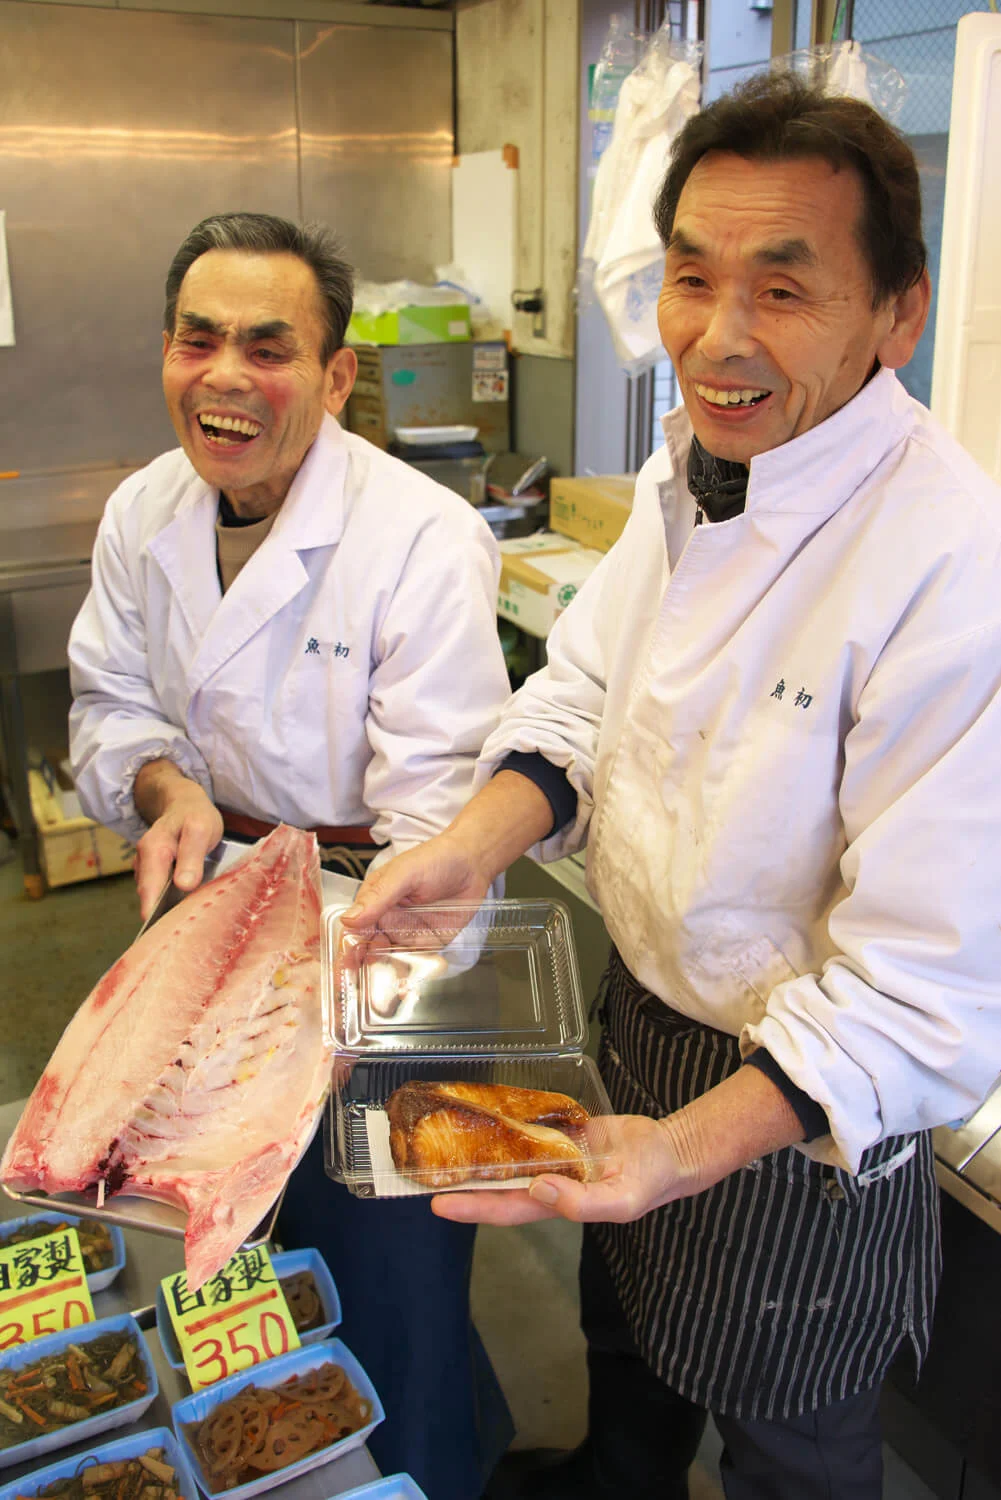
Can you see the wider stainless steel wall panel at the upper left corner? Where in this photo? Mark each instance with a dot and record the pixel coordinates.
(118, 133)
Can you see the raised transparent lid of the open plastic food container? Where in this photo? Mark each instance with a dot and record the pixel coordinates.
(499, 979)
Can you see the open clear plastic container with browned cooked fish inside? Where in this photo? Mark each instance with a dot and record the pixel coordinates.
(458, 995)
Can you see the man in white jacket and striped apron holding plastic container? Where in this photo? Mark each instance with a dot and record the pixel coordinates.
(774, 718)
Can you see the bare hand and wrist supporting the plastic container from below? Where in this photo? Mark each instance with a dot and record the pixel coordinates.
(649, 1163)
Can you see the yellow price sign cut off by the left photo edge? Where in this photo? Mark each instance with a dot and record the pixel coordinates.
(43, 1288)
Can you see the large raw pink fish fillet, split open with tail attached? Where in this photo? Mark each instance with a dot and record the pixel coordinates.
(196, 1070)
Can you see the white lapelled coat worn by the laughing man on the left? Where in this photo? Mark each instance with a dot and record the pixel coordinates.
(349, 676)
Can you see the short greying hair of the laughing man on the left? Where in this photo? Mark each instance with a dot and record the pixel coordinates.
(268, 235)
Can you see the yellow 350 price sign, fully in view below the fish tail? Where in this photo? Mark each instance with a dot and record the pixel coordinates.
(236, 1321)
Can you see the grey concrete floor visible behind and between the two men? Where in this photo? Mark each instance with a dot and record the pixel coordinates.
(525, 1285)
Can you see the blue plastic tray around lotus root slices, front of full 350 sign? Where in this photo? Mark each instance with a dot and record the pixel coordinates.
(272, 1373)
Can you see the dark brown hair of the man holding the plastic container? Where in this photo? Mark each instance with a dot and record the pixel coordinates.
(778, 118)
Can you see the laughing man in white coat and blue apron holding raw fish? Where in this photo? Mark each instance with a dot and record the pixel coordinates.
(287, 625)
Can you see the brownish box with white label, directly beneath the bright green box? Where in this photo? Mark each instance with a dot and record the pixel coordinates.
(433, 386)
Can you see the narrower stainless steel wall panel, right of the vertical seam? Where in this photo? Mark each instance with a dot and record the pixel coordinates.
(377, 145)
